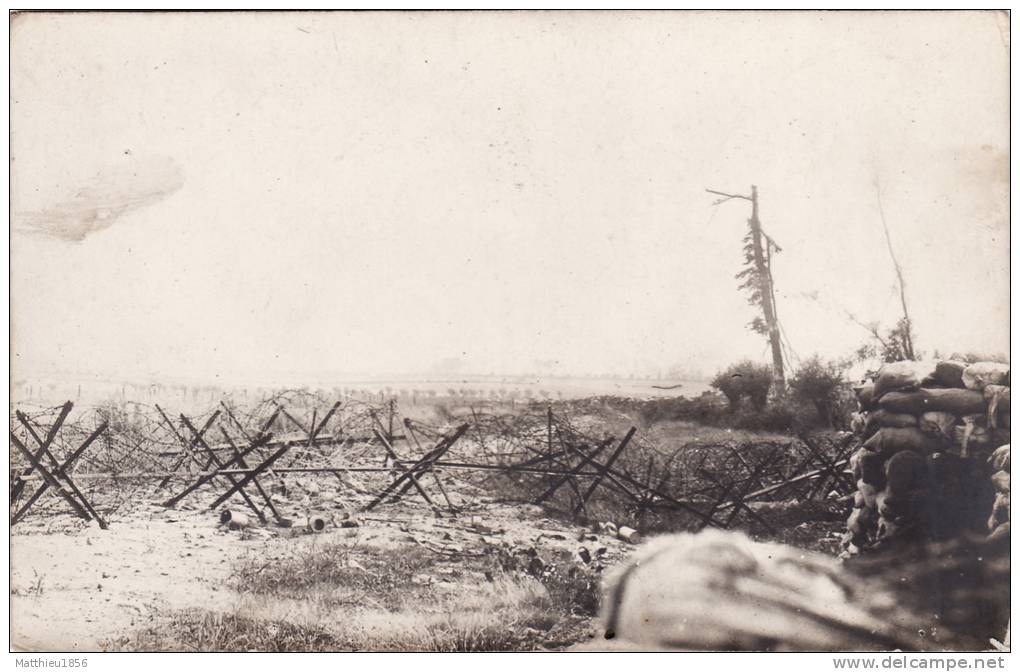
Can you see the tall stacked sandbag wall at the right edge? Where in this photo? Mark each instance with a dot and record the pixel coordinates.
(932, 464)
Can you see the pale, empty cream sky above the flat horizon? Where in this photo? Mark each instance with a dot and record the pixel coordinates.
(297, 195)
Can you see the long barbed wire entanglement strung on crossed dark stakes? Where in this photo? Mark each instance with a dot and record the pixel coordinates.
(97, 461)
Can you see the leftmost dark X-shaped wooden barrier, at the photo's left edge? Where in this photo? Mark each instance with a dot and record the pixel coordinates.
(57, 473)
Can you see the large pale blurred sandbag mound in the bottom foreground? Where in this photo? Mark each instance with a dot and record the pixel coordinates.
(721, 591)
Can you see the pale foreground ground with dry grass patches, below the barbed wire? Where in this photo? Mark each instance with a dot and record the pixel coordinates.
(495, 576)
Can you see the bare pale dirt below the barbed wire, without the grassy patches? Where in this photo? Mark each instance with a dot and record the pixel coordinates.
(78, 588)
